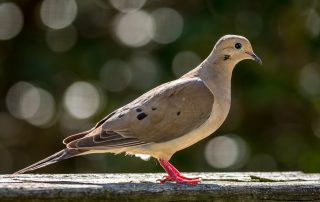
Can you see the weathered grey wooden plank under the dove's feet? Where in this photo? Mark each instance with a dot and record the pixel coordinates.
(290, 186)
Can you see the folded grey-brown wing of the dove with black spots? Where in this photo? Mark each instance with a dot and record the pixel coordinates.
(162, 114)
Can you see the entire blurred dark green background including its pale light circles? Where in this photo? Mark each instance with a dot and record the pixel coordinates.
(65, 64)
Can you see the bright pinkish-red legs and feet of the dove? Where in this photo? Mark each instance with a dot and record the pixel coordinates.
(175, 175)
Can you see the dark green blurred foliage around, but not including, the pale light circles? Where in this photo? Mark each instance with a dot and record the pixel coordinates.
(275, 108)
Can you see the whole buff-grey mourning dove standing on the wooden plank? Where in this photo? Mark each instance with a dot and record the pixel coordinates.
(168, 118)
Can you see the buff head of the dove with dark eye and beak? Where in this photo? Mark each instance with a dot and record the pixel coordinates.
(235, 48)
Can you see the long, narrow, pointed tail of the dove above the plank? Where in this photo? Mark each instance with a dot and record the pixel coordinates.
(59, 156)
